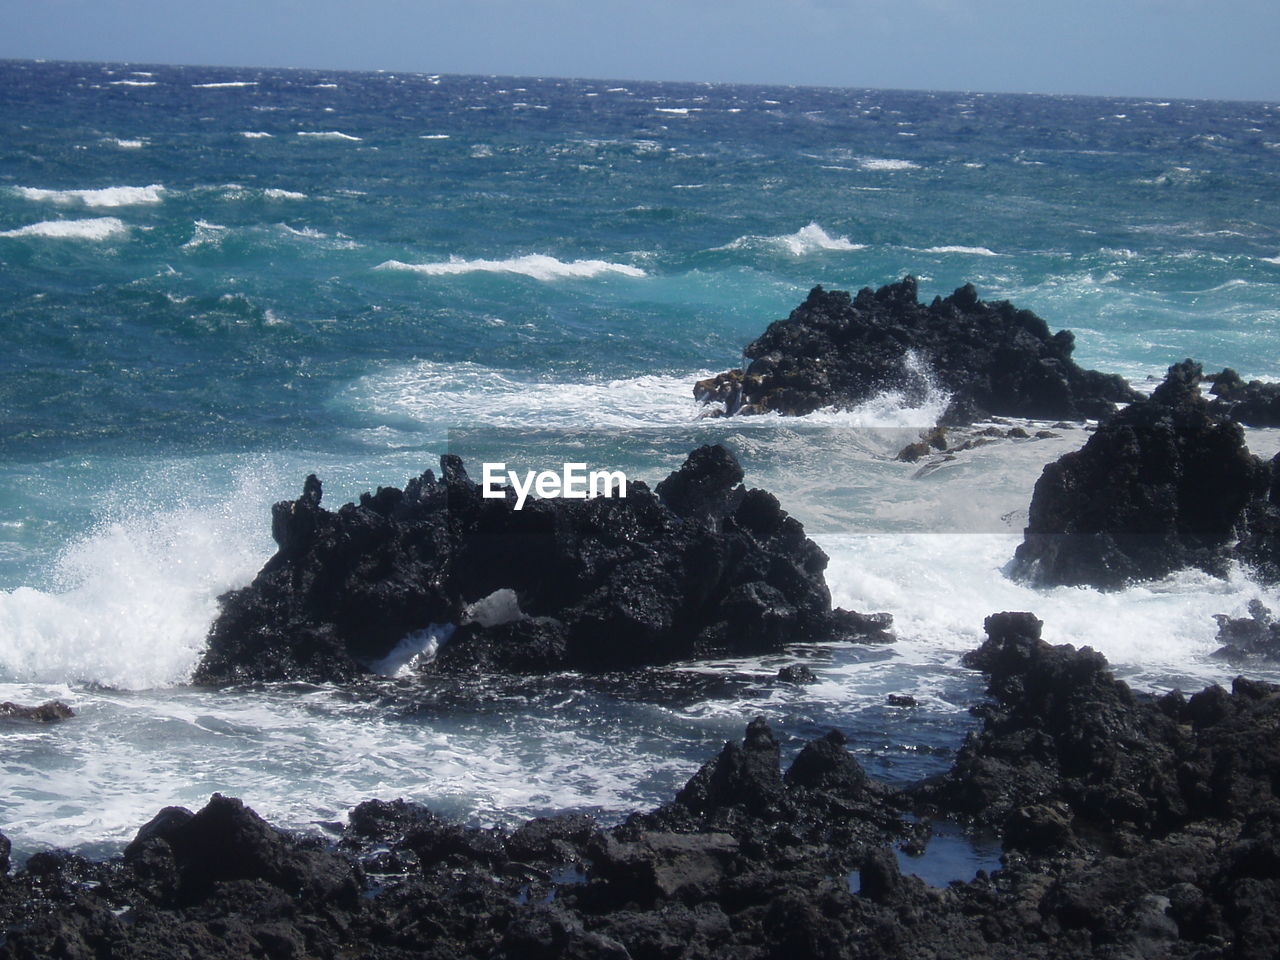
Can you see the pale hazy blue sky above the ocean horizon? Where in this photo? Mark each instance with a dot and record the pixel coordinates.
(1148, 48)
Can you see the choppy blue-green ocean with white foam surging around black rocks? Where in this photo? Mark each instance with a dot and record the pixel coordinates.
(214, 282)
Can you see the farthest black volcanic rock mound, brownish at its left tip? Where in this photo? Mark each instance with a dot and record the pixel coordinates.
(835, 350)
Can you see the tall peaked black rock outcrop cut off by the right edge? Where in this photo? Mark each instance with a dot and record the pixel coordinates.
(1165, 484)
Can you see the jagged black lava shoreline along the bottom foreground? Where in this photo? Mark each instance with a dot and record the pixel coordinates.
(1133, 828)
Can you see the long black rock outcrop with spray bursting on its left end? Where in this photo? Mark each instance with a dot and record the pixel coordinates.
(700, 566)
